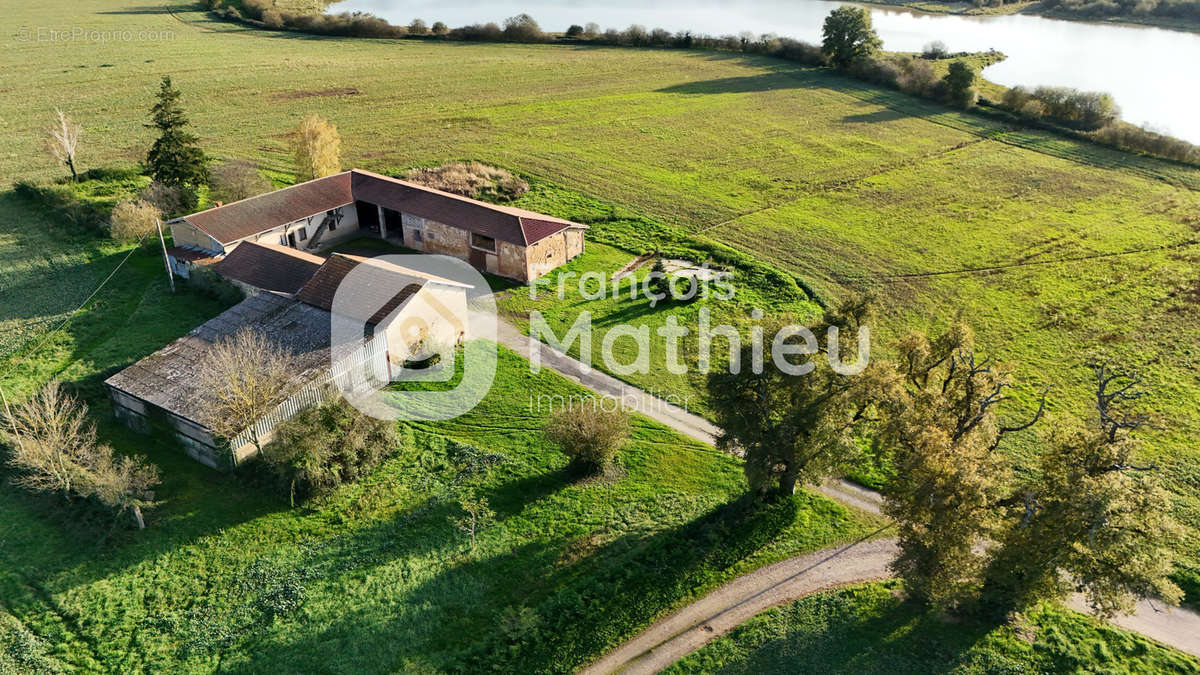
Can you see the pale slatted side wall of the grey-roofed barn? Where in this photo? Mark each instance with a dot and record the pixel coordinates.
(365, 368)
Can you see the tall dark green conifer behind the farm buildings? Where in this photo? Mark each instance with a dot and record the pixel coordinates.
(176, 159)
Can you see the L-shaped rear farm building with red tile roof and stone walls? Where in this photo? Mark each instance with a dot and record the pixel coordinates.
(315, 216)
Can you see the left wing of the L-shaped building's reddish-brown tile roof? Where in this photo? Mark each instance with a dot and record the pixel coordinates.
(239, 220)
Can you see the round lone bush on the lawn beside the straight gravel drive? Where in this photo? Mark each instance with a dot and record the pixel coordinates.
(590, 437)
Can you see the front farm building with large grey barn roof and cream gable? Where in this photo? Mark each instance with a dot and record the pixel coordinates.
(401, 313)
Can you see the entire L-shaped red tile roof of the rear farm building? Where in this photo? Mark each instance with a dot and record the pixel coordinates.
(232, 223)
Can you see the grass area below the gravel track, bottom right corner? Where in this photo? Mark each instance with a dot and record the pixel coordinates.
(868, 630)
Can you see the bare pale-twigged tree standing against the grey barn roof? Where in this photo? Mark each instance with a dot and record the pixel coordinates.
(244, 378)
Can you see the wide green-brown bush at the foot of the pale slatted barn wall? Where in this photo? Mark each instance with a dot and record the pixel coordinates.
(326, 447)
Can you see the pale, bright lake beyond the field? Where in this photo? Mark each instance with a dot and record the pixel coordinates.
(1154, 74)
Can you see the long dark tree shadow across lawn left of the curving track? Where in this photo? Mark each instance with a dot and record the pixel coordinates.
(578, 599)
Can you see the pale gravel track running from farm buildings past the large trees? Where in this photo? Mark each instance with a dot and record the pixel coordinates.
(724, 610)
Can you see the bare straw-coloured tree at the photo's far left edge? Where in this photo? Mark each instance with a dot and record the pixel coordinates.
(53, 443)
